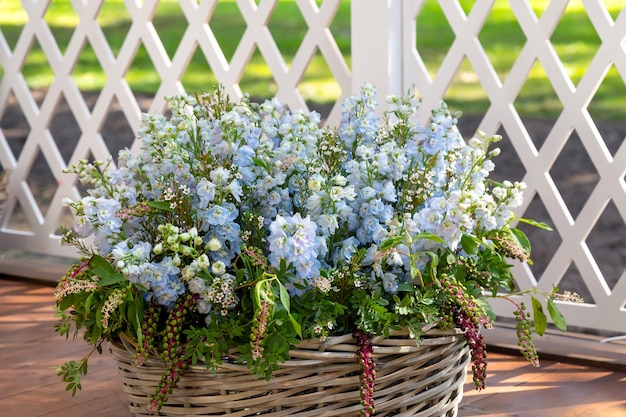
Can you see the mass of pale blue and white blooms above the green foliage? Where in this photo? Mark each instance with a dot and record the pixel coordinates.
(176, 216)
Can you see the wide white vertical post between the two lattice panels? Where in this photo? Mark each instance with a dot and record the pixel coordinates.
(376, 34)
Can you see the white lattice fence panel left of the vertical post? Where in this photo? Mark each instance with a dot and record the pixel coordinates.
(28, 226)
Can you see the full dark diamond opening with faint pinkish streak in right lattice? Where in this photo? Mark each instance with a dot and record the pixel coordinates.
(574, 174)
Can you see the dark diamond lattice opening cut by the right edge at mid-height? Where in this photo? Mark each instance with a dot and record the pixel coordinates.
(606, 243)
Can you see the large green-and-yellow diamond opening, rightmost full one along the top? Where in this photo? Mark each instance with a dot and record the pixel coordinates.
(571, 42)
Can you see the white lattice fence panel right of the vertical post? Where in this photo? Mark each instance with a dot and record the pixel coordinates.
(606, 308)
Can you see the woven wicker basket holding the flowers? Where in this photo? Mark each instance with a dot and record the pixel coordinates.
(321, 379)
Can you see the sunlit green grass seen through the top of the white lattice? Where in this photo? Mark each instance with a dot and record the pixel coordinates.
(574, 40)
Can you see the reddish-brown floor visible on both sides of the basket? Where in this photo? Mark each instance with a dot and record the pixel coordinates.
(29, 387)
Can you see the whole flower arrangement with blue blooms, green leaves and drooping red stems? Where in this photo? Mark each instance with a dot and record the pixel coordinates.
(247, 228)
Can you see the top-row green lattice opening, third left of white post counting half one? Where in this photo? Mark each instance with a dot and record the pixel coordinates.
(228, 27)
